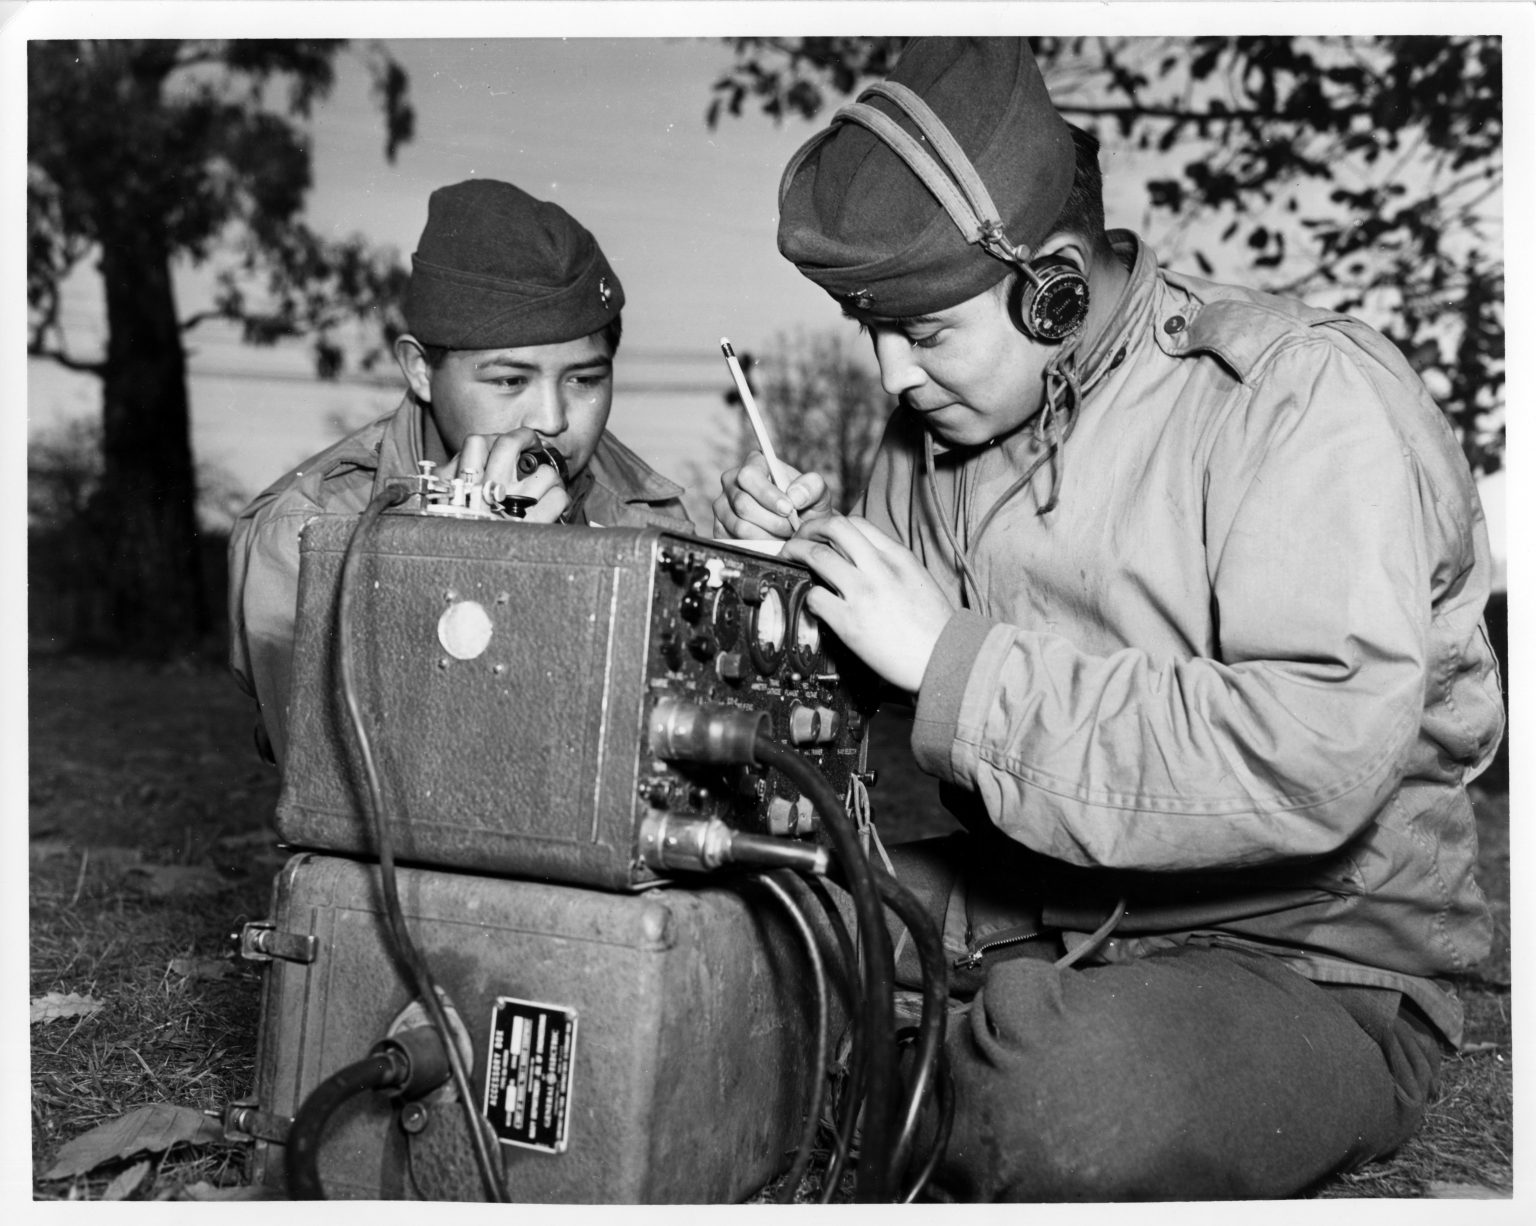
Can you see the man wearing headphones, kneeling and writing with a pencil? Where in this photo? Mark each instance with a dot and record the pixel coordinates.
(1187, 583)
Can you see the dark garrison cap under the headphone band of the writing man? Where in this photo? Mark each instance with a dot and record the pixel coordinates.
(859, 222)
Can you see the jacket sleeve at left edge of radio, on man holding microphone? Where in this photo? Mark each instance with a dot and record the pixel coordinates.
(263, 603)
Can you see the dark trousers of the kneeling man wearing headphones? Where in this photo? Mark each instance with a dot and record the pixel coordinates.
(1199, 1073)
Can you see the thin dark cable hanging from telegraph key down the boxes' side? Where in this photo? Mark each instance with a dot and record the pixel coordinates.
(422, 975)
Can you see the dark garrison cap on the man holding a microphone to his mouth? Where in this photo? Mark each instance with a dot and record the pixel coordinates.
(497, 268)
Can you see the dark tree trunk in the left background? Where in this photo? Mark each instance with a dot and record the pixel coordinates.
(147, 503)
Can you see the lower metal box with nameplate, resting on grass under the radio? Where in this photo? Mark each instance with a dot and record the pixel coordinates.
(627, 1049)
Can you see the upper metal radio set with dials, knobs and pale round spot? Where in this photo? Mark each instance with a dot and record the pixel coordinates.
(508, 675)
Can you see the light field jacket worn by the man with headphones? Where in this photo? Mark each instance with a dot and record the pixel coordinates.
(1237, 677)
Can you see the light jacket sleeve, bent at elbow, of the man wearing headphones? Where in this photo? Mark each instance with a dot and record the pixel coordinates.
(1288, 740)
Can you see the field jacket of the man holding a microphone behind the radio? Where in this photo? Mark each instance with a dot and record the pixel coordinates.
(263, 546)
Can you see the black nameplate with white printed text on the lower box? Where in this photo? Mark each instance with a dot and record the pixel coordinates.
(529, 1081)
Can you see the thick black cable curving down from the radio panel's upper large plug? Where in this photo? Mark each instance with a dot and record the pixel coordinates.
(879, 1030)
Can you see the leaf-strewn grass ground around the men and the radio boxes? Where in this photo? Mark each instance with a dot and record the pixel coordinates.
(148, 818)
